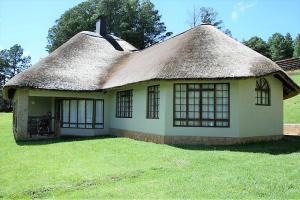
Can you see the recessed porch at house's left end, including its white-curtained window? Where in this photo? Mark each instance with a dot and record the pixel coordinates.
(61, 114)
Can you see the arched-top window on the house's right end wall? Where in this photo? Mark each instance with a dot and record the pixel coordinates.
(262, 92)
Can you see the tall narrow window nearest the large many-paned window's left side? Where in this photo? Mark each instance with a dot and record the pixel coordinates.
(153, 102)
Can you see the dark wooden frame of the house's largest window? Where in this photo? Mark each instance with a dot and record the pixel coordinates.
(200, 105)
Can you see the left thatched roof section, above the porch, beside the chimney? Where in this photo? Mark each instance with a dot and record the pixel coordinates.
(82, 63)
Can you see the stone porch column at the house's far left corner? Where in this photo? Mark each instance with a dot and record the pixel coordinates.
(22, 114)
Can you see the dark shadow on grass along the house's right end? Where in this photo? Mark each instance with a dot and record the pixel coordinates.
(287, 145)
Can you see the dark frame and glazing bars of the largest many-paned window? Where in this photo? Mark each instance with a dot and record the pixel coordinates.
(200, 104)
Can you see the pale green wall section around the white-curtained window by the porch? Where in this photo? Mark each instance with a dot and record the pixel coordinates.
(51, 95)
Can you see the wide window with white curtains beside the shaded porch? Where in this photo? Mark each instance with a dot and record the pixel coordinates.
(82, 113)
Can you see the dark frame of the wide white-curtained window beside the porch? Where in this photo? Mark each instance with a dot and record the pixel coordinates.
(94, 124)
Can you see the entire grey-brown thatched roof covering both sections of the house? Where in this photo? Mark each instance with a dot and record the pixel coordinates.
(89, 62)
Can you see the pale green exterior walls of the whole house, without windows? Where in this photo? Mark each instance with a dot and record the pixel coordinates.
(246, 118)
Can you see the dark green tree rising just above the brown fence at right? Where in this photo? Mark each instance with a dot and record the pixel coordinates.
(280, 46)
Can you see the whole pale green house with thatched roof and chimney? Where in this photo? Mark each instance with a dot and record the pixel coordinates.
(199, 87)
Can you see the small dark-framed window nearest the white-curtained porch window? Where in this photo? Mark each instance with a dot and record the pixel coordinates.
(124, 104)
